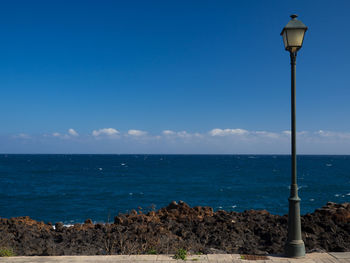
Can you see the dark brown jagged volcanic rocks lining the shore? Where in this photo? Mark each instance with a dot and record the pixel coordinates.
(197, 229)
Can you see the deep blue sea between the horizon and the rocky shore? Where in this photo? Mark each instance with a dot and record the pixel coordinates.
(72, 188)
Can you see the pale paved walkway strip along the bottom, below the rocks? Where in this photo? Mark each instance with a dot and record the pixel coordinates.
(310, 258)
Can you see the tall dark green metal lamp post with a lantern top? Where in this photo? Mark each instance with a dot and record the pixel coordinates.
(293, 36)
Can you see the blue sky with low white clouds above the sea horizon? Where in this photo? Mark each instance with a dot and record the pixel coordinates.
(171, 77)
